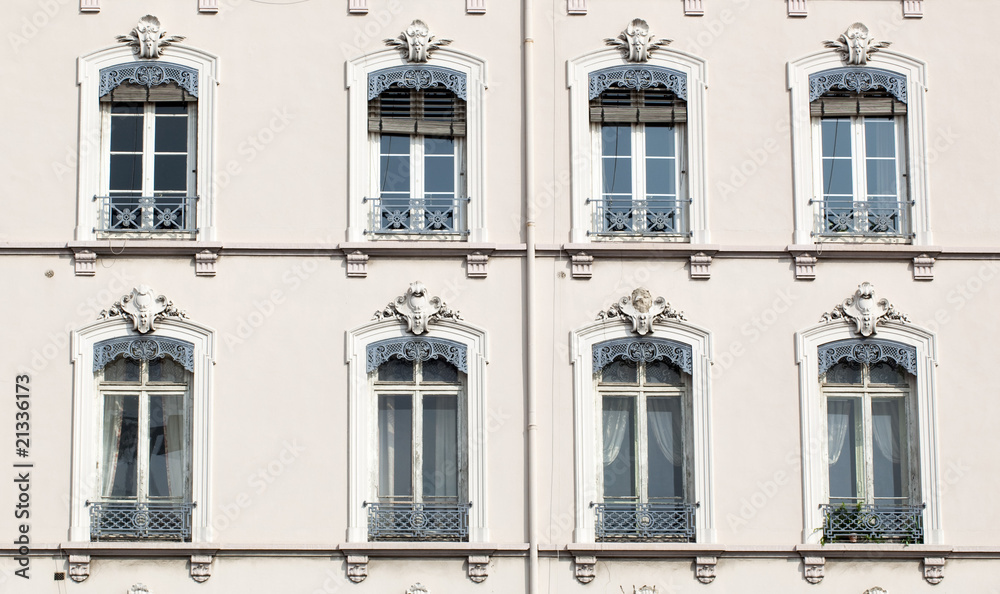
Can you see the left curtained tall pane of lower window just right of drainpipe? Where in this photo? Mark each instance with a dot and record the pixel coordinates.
(619, 447)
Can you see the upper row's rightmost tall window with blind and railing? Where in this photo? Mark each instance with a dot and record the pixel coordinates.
(862, 165)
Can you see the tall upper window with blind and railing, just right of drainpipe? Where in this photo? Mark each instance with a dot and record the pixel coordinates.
(641, 147)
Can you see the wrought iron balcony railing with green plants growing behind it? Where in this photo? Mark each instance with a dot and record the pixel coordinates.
(847, 522)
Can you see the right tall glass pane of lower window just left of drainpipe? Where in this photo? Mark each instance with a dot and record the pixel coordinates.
(440, 472)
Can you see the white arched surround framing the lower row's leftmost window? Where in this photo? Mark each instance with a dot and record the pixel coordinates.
(86, 418)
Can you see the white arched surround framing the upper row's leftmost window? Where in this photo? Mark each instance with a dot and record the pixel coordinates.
(90, 147)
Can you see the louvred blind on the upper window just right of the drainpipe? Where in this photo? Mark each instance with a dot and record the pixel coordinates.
(655, 105)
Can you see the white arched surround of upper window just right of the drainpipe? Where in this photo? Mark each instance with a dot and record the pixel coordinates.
(582, 145)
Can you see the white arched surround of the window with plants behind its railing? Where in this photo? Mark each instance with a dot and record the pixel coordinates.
(815, 469)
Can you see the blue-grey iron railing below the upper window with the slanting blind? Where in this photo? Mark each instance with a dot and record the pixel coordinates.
(445, 216)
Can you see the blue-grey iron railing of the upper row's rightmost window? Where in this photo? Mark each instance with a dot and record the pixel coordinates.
(875, 218)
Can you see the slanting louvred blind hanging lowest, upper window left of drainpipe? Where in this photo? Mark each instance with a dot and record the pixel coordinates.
(430, 112)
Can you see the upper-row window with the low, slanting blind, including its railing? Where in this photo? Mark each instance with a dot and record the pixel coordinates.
(419, 178)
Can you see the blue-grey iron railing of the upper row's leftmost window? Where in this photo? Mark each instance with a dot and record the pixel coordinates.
(147, 214)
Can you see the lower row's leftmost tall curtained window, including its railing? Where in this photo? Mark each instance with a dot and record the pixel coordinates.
(145, 451)
